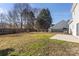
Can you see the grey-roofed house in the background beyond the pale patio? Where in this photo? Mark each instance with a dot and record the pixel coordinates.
(60, 26)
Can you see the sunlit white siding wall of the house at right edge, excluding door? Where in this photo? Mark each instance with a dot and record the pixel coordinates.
(75, 17)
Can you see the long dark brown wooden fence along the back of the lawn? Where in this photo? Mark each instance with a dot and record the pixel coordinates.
(11, 31)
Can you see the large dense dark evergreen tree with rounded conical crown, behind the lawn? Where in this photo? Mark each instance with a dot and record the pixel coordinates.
(44, 20)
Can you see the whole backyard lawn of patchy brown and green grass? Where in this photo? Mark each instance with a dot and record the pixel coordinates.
(35, 44)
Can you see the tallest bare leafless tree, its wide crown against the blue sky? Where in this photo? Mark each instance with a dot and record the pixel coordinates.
(19, 9)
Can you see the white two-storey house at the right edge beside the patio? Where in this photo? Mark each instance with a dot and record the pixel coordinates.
(74, 22)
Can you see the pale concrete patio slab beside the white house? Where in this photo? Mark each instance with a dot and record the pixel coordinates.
(65, 37)
